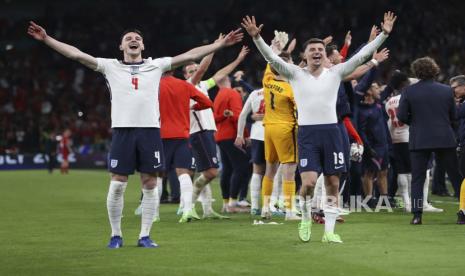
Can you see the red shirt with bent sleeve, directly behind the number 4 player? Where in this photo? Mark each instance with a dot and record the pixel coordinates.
(174, 98)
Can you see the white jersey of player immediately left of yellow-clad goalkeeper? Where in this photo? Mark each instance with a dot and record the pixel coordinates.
(256, 104)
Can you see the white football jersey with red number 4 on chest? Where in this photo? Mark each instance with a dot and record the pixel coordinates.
(134, 90)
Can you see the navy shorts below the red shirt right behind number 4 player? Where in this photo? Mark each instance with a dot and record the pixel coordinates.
(178, 154)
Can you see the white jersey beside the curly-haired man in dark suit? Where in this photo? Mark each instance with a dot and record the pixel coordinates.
(399, 131)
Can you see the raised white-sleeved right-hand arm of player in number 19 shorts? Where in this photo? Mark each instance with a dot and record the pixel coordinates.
(348, 67)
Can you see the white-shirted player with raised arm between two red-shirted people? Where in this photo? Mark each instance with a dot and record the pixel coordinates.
(202, 131)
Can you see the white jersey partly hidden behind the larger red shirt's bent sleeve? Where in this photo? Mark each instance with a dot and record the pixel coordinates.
(202, 119)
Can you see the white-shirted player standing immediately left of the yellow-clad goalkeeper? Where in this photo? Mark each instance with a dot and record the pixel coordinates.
(255, 104)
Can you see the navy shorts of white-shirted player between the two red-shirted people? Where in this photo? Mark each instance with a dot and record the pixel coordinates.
(204, 150)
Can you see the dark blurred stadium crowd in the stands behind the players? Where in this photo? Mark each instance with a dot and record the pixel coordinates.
(39, 95)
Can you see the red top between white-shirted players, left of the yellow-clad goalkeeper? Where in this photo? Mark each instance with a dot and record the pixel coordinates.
(227, 98)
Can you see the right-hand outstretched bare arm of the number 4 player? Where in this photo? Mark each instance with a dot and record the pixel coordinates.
(202, 51)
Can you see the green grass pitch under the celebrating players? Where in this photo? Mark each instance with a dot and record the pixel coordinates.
(57, 225)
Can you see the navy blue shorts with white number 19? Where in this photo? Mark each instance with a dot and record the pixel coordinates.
(321, 149)
